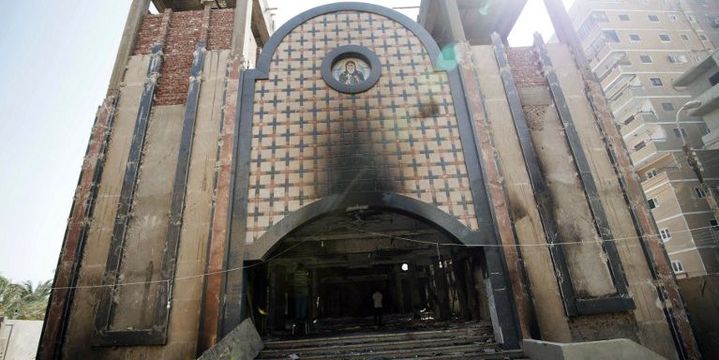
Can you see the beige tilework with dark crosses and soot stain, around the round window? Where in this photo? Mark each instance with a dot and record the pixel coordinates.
(310, 141)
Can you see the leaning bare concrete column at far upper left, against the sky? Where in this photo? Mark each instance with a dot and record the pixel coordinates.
(137, 13)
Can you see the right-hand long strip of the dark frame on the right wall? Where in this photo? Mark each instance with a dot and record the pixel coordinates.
(586, 177)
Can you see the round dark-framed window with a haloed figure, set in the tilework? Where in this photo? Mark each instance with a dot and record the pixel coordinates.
(351, 69)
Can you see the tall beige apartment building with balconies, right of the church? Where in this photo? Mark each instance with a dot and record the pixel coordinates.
(637, 49)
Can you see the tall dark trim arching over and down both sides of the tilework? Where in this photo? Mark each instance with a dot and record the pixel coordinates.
(232, 308)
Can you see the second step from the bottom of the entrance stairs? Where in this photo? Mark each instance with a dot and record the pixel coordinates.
(378, 346)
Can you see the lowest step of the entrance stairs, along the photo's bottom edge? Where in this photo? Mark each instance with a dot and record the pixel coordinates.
(429, 353)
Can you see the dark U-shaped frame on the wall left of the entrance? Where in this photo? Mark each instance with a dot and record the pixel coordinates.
(157, 335)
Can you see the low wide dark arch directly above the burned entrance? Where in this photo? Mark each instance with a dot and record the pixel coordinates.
(378, 200)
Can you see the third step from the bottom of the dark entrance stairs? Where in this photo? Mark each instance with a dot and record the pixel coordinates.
(395, 336)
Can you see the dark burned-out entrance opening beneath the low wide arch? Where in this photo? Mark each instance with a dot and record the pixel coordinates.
(321, 277)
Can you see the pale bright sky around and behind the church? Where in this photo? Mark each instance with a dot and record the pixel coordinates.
(57, 57)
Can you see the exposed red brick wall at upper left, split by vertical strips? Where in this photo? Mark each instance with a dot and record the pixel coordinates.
(182, 36)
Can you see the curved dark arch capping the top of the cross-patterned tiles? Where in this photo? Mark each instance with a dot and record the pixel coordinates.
(263, 63)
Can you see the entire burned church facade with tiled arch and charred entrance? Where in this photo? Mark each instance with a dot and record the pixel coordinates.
(467, 182)
